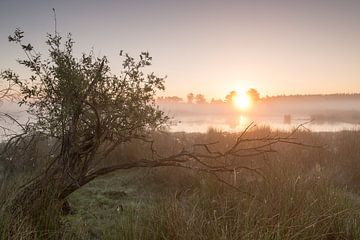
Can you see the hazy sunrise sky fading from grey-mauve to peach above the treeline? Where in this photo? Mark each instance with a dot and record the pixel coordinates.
(211, 47)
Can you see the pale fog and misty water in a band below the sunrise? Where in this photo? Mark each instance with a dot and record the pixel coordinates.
(320, 113)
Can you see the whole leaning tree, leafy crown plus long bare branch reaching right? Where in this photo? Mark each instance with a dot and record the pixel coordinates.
(87, 112)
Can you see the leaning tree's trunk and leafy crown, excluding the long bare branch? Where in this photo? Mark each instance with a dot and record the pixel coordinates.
(85, 108)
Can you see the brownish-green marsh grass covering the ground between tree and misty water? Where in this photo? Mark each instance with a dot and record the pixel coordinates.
(306, 193)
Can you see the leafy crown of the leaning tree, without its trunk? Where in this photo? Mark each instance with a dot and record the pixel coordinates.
(81, 97)
